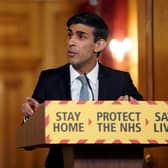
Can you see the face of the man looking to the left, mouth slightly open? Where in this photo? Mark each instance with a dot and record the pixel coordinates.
(81, 46)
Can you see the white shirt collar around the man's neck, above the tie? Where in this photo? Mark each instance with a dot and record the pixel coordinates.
(92, 75)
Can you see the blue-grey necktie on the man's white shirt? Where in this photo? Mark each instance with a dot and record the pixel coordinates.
(84, 94)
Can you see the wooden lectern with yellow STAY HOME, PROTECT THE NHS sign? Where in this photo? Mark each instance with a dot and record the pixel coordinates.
(94, 134)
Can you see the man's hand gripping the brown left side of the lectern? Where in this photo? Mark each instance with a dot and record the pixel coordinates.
(29, 107)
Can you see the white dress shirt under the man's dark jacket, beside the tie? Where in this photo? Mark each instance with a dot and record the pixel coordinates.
(76, 84)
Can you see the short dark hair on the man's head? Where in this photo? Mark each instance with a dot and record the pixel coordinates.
(90, 19)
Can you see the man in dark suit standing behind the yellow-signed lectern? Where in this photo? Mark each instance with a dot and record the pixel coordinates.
(87, 35)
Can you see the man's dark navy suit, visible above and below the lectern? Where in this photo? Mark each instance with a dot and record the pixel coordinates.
(54, 84)
